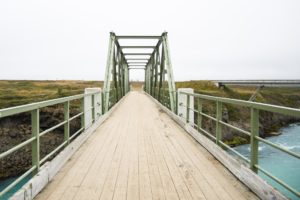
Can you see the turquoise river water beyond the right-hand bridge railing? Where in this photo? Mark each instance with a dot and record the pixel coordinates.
(282, 165)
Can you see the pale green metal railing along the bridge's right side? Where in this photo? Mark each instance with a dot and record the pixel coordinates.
(253, 134)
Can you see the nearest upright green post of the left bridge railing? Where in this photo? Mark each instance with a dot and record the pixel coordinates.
(35, 145)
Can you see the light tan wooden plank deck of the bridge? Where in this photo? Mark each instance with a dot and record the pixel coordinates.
(140, 153)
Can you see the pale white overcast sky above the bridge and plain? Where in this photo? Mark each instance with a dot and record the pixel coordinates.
(209, 39)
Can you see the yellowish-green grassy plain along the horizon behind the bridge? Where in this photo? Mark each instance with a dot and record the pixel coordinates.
(13, 93)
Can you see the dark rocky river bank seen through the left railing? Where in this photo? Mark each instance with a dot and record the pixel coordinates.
(17, 129)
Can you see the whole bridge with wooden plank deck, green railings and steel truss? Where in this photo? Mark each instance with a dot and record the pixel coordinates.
(146, 144)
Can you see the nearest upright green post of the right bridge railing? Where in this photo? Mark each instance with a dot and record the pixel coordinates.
(254, 142)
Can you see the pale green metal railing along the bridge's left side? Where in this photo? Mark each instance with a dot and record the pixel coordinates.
(34, 140)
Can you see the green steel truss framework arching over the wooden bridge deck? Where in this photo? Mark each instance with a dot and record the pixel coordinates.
(159, 78)
